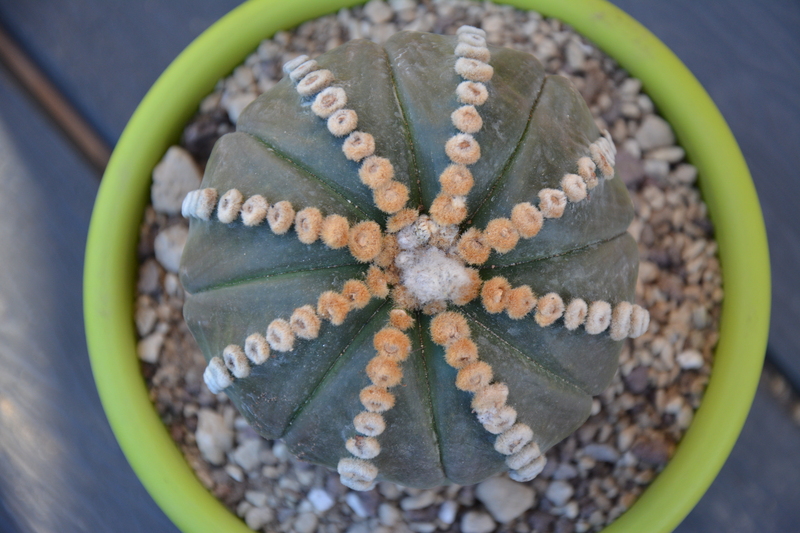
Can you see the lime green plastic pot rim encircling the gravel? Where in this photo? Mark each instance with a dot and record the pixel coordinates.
(111, 261)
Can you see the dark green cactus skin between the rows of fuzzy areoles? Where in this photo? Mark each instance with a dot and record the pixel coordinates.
(239, 279)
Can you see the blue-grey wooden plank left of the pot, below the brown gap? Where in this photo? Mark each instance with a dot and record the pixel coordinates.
(60, 466)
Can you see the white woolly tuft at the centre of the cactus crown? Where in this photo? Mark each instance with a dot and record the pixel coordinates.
(430, 275)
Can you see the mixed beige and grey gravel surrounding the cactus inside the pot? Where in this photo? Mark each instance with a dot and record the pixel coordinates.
(593, 476)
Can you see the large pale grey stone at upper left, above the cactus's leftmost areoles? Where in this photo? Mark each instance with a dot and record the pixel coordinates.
(173, 178)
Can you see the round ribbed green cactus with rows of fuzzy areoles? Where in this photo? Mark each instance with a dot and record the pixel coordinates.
(411, 261)
